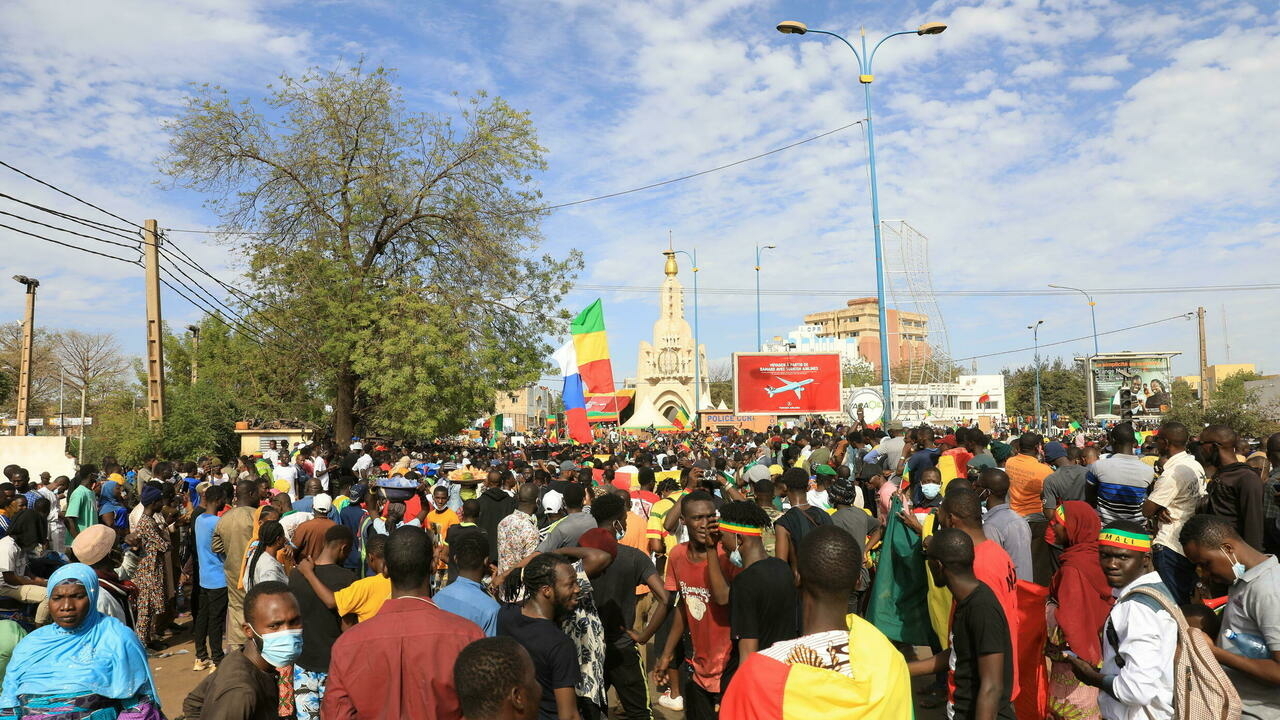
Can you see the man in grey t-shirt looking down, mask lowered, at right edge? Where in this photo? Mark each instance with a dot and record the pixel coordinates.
(1249, 645)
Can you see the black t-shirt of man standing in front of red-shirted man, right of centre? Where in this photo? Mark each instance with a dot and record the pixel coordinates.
(980, 628)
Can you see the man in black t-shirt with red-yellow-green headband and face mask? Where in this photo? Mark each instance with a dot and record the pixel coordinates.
(764, 601)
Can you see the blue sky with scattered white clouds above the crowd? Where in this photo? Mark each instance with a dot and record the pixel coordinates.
(1100, 144)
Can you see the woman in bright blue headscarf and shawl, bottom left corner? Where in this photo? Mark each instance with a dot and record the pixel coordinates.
(84, 666)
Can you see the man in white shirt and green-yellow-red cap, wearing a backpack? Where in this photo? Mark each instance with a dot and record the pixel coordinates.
(1139, 641)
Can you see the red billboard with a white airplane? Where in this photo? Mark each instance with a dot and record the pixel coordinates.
(779, 384)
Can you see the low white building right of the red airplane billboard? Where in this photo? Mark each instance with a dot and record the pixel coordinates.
(963, 402)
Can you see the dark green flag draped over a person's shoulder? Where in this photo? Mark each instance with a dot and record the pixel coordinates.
(898, 607)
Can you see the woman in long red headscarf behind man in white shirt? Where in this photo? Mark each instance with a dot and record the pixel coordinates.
(1080, 603)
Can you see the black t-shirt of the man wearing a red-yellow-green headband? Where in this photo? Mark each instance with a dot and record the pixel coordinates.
(764, 605)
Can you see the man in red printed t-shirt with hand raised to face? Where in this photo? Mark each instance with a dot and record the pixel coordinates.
(701, 571)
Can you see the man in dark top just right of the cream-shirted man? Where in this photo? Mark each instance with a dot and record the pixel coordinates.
(1236, 490)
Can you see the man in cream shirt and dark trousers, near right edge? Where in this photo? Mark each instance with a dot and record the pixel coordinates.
(1172, 503)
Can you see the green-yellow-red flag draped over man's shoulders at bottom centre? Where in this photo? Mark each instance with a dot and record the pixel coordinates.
(765, 689)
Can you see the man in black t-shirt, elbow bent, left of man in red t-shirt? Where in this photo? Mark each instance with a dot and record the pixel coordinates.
(615, 594)
